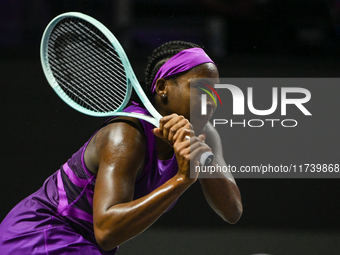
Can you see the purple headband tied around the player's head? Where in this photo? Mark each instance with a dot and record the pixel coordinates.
(181, 62)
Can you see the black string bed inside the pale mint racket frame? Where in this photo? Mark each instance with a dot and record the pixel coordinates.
(86, 66)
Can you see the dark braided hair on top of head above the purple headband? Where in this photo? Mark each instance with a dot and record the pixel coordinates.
(159, 56)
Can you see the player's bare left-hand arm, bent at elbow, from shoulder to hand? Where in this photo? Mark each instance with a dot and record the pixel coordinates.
(116, 150)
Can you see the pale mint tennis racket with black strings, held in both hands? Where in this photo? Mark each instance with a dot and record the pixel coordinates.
(88, 68)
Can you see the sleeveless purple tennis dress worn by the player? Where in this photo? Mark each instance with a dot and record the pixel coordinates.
(57, 219)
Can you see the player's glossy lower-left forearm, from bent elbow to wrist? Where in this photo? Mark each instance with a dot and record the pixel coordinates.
(124, 221)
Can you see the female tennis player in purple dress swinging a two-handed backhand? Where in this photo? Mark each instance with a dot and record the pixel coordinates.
(128, 173)
